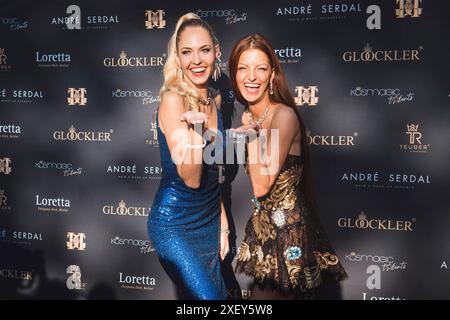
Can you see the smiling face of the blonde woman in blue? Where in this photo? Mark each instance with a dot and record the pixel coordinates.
(196, 55)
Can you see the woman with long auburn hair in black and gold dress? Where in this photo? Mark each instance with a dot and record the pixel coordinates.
(284, 246)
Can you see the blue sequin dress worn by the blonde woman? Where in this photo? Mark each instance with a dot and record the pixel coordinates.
(184, 226)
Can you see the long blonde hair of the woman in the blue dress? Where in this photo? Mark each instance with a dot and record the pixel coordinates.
(173, 75)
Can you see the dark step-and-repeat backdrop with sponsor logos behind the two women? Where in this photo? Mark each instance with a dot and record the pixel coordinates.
(79, 157)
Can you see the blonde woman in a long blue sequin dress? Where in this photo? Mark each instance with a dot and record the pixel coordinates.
(187, 223)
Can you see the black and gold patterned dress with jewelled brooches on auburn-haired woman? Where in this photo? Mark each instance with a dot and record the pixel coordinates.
(284, 245)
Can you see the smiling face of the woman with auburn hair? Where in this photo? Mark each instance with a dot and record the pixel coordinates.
(253, 76)
